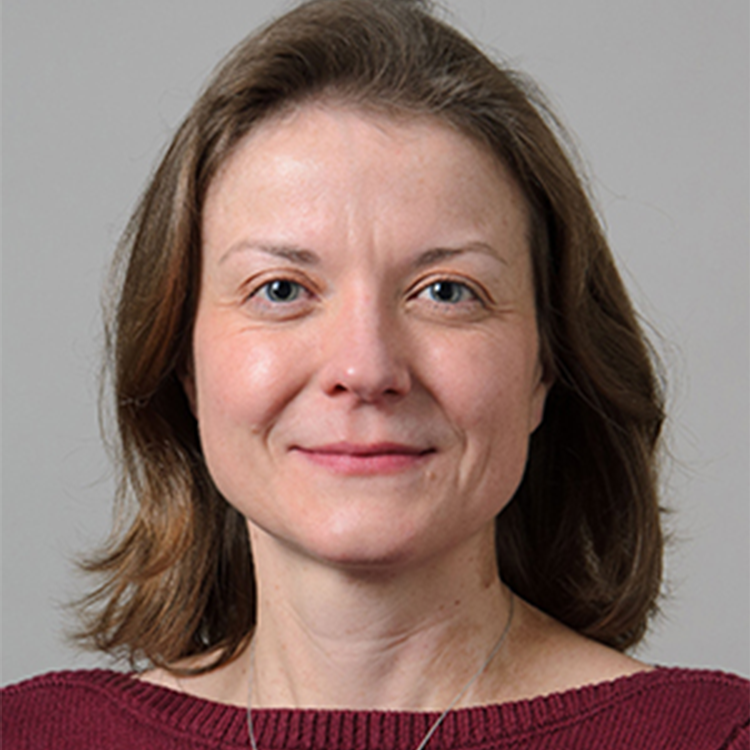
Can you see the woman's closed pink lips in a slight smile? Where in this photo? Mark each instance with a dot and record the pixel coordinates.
(359, 459)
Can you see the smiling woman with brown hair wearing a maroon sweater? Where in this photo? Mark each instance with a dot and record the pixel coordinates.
(389, 424)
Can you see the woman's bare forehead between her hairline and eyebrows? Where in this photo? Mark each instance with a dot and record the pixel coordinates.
(321, 156)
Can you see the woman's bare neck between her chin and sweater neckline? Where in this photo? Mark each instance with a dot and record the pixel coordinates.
(369, 638)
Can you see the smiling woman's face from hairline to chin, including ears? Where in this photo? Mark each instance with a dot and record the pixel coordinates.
(366, 366)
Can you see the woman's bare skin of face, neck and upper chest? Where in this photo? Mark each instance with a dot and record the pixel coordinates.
(366, 377)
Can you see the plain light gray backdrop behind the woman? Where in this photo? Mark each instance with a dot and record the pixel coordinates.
(656, 92)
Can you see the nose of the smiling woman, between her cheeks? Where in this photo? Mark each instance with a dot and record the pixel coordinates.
(364, 355)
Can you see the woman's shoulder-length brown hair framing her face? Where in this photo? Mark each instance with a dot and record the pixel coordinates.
(581, 539)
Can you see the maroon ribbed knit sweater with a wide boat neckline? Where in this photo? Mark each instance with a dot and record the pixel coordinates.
(665, 708)
